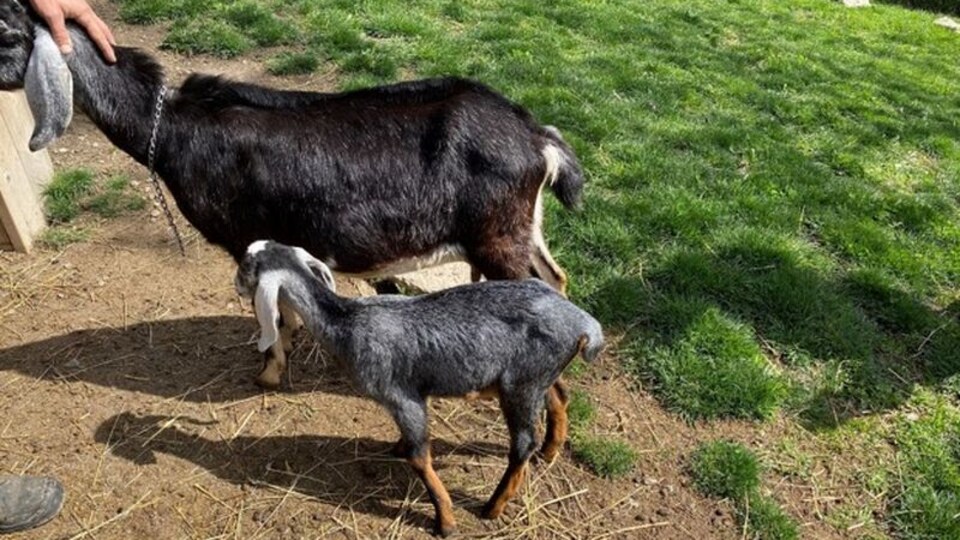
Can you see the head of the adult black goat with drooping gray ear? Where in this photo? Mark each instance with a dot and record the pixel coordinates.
(30, 59)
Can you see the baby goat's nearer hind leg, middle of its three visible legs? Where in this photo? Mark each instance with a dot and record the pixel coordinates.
(521, 412)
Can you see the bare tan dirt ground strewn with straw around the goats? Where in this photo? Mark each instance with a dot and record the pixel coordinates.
(126, 371)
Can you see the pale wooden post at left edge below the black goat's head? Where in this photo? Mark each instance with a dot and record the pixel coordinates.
(23, 175)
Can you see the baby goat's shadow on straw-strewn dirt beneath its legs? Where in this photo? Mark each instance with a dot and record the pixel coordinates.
(354, 472)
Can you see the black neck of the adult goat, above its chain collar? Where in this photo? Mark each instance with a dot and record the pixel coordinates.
(119, 98)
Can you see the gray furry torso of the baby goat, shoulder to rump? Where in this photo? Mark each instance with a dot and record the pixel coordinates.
(455, 341)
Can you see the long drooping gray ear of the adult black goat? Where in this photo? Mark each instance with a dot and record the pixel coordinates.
(49, 88)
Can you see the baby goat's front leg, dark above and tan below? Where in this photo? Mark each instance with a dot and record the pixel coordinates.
(411, 417)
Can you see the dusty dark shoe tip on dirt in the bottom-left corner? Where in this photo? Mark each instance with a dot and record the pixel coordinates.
(28, 501)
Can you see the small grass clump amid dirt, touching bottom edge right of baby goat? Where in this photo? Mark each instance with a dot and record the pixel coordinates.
(729, 470)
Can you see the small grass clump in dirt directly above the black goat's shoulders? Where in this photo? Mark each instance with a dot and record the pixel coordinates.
(209, 36)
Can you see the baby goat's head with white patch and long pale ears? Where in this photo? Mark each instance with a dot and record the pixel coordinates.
(265, 268)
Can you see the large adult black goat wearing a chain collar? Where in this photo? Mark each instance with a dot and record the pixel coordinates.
(372, 182)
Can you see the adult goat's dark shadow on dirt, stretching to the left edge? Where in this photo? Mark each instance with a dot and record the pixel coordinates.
(196, 359)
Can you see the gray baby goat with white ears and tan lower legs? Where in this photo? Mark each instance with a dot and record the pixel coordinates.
(505, 339)
